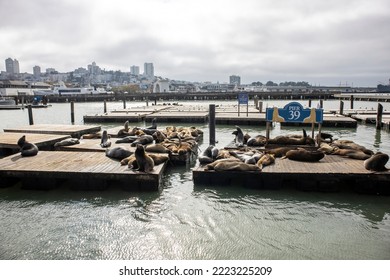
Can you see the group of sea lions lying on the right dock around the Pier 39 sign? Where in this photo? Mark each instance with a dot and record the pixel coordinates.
(291, 147)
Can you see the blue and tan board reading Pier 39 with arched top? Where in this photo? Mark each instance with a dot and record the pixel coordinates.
(294, 112)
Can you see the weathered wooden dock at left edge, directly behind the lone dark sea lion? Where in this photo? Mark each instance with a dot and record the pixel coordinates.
(9, 139)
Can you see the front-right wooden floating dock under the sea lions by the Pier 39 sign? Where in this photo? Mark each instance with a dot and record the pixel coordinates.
(331, 174)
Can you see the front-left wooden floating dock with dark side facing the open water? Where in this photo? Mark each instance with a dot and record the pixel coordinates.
(80, 170)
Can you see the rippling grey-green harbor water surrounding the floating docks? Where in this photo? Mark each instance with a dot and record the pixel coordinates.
(188, 222)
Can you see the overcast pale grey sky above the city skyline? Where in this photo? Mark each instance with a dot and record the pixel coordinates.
(322, 42)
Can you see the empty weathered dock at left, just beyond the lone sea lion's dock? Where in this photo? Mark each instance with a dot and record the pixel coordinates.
(63, 129)
